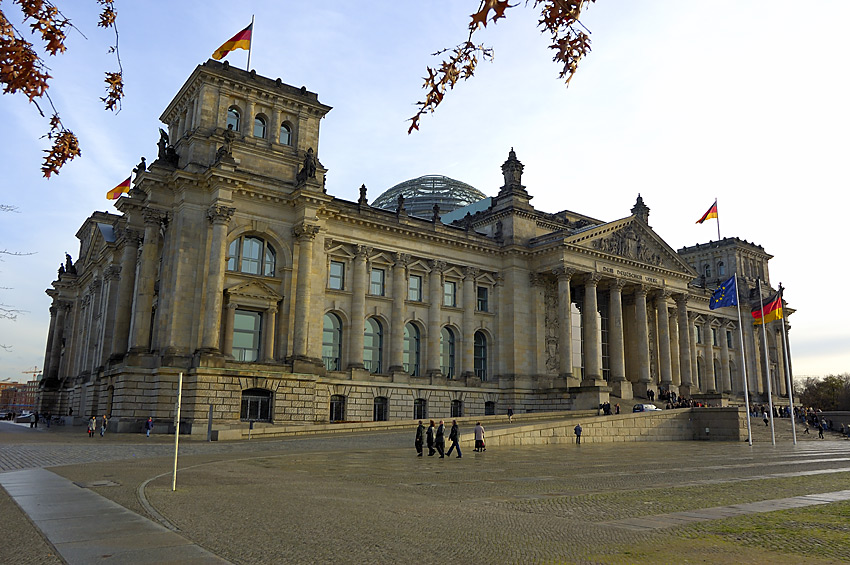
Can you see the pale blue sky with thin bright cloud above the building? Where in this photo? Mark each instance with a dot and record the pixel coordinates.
(682, 102)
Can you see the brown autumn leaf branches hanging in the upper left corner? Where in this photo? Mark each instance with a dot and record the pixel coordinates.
(23, 69)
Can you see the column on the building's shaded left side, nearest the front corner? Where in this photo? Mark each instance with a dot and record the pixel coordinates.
(142, 310)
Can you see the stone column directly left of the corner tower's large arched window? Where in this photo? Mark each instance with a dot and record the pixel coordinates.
(219, 216)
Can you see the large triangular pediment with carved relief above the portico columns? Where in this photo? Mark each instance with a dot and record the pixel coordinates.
(633, 240)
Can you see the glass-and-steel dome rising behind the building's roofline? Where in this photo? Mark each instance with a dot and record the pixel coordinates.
(420, 195)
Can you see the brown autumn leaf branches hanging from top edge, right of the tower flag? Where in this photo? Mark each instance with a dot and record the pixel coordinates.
(559, 18)
